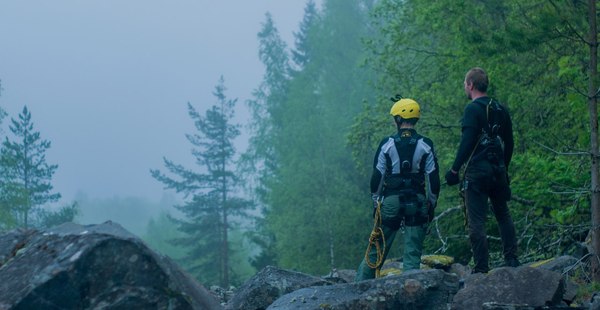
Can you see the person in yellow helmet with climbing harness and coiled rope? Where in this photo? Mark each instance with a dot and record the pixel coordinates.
(406, 183)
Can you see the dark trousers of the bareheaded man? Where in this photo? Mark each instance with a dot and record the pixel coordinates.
(481, 185)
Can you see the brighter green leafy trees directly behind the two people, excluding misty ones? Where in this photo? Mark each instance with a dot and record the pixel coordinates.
(536, 63)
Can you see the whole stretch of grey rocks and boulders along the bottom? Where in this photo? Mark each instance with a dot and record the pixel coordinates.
(105, 267)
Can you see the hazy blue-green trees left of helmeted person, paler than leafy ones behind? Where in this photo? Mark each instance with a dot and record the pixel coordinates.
(313, 183)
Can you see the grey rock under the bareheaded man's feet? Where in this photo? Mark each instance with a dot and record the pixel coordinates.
(519, 286)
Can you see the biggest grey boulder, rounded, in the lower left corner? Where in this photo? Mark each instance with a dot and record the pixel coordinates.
(92, 267)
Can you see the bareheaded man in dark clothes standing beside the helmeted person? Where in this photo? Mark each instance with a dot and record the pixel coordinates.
(486, 148)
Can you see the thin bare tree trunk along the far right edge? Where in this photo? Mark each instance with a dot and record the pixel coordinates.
(593, 109)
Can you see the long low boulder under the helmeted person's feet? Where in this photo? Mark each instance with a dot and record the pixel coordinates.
(416, 289)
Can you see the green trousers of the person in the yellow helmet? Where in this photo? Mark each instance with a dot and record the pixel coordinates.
(392, 213)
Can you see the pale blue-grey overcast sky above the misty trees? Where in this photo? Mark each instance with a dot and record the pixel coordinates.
(107, 82)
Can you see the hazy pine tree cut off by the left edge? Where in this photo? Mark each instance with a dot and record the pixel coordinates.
(24, 173)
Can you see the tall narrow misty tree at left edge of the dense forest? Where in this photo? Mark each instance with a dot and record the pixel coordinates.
(259, 161)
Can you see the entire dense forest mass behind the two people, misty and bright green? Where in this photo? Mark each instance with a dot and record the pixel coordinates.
(317, 121)
